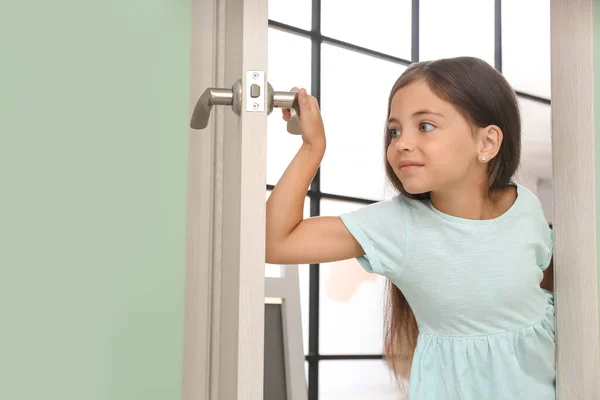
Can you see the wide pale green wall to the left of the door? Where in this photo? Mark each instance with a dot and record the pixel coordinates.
(93, 148)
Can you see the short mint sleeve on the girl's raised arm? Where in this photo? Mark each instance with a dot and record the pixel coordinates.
(380, 229)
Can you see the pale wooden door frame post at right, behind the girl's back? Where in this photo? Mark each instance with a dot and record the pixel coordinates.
(575, 202)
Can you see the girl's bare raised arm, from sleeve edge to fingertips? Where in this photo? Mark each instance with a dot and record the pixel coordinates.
(290, 239)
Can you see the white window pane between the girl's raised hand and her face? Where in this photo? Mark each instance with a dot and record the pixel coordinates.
(354, 96)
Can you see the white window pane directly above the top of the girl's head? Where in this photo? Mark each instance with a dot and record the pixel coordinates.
(456, 28)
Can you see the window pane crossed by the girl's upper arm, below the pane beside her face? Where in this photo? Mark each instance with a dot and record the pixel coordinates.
(351, 309)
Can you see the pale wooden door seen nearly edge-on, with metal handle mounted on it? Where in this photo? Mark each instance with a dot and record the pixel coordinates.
(223, 354)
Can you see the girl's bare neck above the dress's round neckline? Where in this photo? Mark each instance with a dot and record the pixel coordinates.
(473, 202)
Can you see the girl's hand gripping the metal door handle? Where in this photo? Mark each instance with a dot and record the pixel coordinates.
(311, 123)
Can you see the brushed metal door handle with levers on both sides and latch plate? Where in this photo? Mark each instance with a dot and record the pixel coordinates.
(255, 101)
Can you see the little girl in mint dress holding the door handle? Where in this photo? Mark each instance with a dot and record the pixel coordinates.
(464, 247)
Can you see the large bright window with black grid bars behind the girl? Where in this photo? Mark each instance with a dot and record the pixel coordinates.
(348, 55)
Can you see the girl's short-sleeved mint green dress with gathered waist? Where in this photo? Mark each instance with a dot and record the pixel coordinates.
(486, 328)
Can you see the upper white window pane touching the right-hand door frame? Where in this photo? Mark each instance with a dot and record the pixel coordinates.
(526, 45)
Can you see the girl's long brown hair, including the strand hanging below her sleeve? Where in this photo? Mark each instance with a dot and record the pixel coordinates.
(484, 98)
